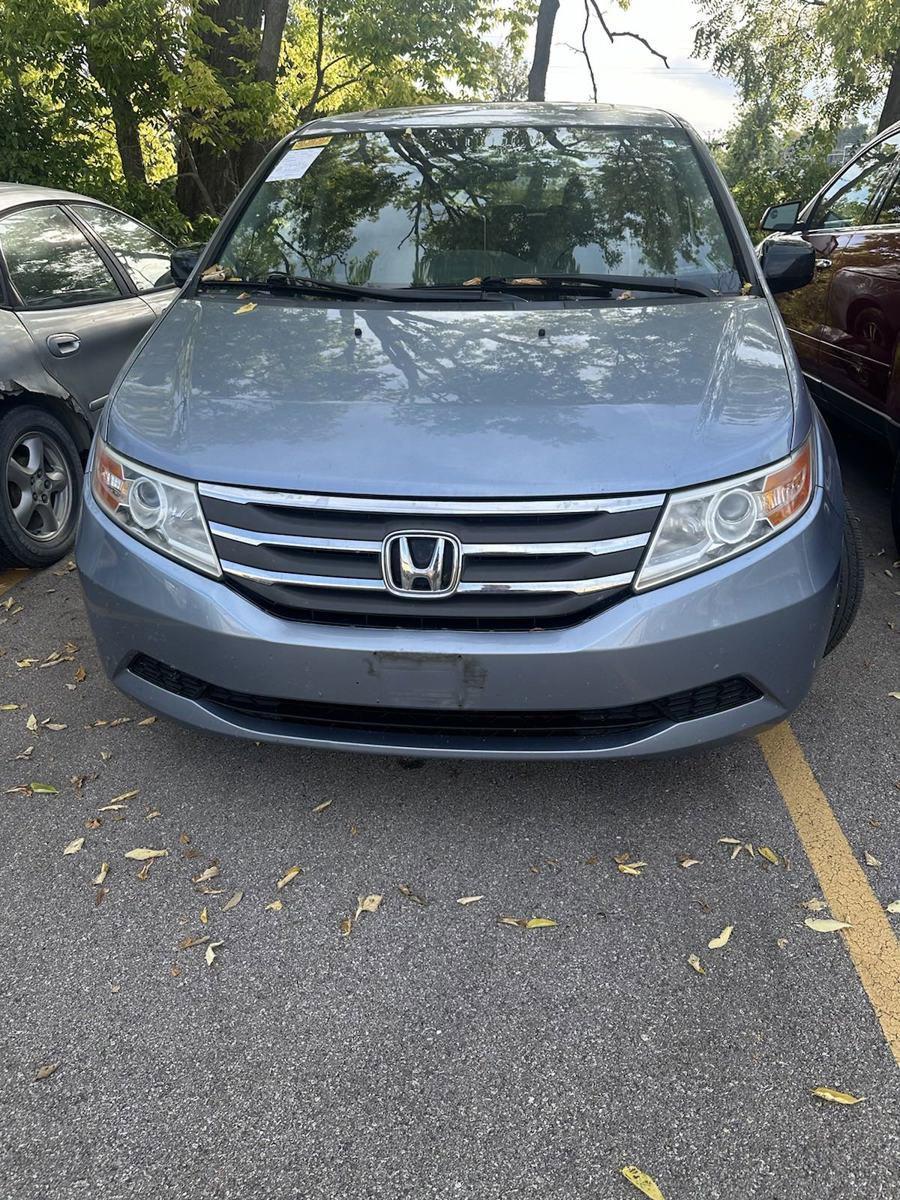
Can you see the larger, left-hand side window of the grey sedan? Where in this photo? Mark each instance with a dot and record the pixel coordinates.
(51, 261)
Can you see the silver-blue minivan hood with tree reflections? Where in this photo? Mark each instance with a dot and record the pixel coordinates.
(454, 403)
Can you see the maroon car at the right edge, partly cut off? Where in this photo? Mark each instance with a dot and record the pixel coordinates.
(847, 323)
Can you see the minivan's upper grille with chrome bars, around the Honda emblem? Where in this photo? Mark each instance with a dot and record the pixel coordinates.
(524, 563)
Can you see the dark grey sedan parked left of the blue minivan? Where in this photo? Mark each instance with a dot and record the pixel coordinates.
(81, 284)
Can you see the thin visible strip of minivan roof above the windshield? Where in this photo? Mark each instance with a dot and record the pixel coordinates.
(521, 113)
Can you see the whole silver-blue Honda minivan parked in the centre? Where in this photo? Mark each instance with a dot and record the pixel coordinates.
(473, 431)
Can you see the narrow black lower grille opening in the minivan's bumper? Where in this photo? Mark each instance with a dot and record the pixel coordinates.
(698, 703)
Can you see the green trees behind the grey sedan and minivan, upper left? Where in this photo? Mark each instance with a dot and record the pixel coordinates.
(166, 106)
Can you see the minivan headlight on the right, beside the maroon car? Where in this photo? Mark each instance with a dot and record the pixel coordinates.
(709, 525)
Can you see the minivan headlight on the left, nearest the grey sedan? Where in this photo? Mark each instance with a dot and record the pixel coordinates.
(158, 509)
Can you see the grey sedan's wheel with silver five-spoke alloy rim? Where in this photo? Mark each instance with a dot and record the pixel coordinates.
(41, 478)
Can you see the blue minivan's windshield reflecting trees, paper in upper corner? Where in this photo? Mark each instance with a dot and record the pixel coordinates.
(448, 208)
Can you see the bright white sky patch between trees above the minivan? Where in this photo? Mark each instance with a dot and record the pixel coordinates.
(627, 73)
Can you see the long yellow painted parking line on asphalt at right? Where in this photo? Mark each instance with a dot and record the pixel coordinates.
(871, 940)
